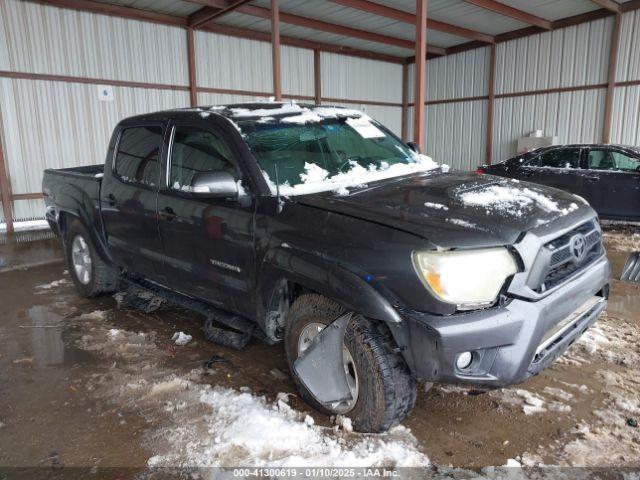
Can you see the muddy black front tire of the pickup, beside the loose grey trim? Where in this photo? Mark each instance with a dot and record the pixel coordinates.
(387, 391)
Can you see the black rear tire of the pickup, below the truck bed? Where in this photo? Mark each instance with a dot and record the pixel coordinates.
(103, 278)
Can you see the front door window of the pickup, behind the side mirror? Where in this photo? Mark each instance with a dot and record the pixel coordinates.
(195, 150)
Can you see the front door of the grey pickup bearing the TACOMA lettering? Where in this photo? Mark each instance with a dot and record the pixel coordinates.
(208, 243)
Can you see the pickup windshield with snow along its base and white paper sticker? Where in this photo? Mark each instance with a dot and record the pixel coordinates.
(331, 154)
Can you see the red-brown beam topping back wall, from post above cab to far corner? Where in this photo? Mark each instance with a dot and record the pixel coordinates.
(302, 43)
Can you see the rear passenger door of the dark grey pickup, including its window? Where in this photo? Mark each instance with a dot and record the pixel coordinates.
(128, 201)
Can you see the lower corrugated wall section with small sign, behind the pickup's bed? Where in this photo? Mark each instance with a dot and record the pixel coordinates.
(59, 124)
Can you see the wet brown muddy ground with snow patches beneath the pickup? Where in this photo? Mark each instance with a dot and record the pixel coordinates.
(87, 384)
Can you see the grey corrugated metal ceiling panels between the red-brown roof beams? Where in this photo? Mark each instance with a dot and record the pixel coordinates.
(460, 13)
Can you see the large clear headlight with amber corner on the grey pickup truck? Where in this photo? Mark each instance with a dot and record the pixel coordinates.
(469, 279)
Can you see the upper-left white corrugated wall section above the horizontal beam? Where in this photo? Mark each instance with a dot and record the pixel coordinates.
(39, 39)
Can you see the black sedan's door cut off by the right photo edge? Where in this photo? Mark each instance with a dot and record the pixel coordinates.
(612, 182)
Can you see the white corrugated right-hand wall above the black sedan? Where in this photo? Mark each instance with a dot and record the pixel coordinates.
(577, 56)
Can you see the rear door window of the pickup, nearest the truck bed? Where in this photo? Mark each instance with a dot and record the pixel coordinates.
(137, 156)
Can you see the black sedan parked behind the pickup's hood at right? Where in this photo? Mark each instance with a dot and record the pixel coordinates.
(607, 176)
